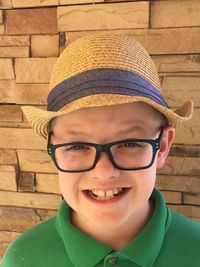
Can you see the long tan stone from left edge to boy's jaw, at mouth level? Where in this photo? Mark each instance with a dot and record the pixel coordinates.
(30, 200)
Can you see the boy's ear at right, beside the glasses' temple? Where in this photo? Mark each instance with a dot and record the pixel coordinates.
(165, 145)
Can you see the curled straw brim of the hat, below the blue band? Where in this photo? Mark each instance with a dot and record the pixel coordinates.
(39, 119)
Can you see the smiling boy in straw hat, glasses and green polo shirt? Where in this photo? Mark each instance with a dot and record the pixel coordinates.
(108, 129)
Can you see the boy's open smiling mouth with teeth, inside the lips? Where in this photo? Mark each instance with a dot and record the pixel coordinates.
(106, 194)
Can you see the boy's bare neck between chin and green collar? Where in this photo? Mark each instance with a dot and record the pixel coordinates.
(116, 238)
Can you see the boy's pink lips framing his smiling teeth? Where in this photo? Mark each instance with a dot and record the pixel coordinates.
(109, 201)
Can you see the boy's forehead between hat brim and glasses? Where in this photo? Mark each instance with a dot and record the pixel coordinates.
(137, 113)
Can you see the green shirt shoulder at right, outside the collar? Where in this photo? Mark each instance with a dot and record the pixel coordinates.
(182, 241)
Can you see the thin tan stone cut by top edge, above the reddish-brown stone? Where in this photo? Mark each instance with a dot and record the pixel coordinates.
(34, 3)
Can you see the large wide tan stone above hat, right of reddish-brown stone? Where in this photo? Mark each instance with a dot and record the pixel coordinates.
(103, 16)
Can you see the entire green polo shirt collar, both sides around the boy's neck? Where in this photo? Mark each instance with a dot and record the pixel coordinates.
(143, 250)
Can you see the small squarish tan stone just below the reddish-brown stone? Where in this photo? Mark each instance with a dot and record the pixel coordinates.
(45, 45)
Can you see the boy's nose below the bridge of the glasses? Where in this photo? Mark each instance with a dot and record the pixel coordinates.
(104, 168)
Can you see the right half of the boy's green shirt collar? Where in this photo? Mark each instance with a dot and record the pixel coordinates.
(145, 248)
